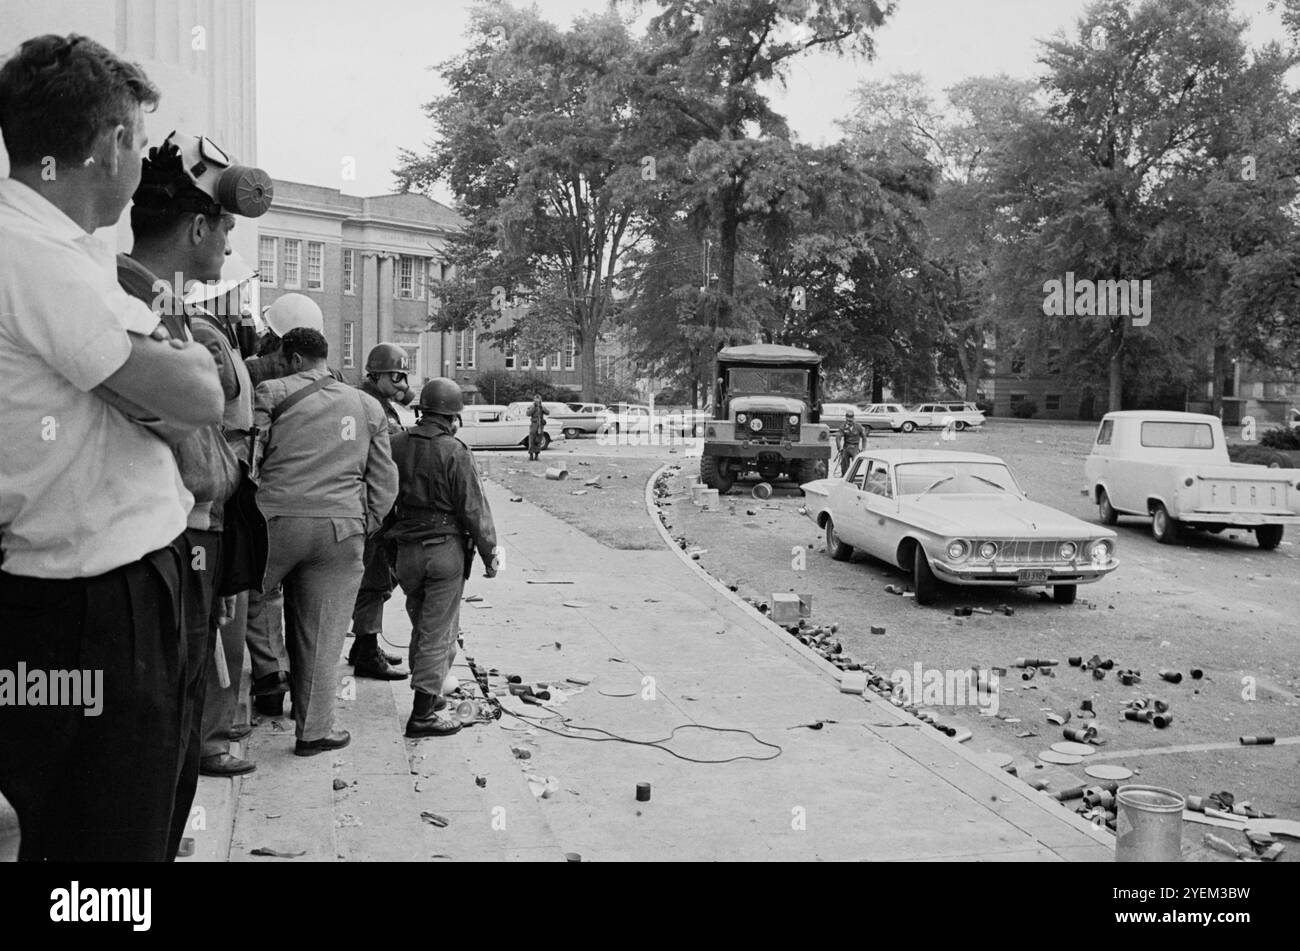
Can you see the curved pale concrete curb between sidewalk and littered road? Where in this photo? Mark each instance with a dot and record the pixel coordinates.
(879, 706)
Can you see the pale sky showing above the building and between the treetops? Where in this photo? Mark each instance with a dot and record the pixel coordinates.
(341, 84)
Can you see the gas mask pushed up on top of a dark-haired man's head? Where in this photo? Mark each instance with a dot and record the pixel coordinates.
(218, 183)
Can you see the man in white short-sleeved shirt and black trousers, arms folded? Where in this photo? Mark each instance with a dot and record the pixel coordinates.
(92, 502)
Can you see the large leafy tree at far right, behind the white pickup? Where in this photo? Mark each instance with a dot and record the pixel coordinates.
(1136, 175)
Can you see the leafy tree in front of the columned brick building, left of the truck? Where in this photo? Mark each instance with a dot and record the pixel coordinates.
(539, 144)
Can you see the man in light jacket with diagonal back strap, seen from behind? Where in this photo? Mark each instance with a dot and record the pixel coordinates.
(327, 481)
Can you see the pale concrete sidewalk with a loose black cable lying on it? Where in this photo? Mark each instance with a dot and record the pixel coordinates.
(664, 646)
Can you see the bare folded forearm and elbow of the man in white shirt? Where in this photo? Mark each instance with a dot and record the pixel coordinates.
(175, 383)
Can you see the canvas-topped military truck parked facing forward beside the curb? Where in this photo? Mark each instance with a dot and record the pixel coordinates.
(766, 418)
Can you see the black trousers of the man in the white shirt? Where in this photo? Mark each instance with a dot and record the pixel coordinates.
(97, 788)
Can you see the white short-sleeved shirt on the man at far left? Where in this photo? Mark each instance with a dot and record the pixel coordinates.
(83, 489)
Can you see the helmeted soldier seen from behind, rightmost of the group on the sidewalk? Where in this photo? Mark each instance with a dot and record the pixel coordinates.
(443, 518)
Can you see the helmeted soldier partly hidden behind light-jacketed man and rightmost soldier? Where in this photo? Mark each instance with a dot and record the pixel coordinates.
(387, 381)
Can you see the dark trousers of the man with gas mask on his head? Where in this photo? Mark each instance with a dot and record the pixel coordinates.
(203, 559)
